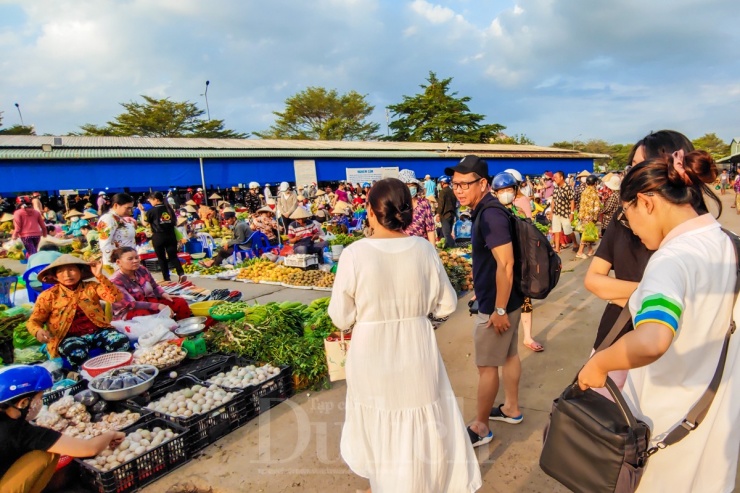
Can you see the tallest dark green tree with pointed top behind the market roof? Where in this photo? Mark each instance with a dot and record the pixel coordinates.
(436, 115)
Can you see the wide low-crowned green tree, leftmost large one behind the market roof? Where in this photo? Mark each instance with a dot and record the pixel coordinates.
(162, 118)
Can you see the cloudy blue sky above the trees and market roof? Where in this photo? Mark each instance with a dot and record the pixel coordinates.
(551, 69)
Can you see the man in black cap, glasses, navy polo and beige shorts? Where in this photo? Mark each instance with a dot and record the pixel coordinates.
(496, 332)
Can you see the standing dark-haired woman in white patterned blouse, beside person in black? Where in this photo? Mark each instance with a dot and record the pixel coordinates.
(117, 228)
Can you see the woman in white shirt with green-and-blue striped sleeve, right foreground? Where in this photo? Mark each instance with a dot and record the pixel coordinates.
(681, 312)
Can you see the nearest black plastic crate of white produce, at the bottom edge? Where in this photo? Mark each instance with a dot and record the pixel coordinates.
(143, 470)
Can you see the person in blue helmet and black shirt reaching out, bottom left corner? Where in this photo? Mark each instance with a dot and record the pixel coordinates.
(29, 453)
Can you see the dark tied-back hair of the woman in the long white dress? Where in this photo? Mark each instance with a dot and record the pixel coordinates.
(391, 202)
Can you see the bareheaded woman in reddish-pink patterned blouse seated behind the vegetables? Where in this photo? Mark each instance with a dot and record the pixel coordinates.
(141, 293)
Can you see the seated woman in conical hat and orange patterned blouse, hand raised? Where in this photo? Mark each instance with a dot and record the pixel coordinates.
(68, 317)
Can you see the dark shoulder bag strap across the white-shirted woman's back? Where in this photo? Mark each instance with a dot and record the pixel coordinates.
(699, 411)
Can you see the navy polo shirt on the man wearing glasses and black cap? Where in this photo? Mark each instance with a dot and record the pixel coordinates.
(491, 230)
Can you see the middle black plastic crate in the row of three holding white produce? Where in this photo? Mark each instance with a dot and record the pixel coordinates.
(205, 428)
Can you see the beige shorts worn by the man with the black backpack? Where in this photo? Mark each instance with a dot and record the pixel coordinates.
(492, 348)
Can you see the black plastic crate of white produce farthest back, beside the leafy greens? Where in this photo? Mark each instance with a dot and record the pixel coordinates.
(263, 396)
